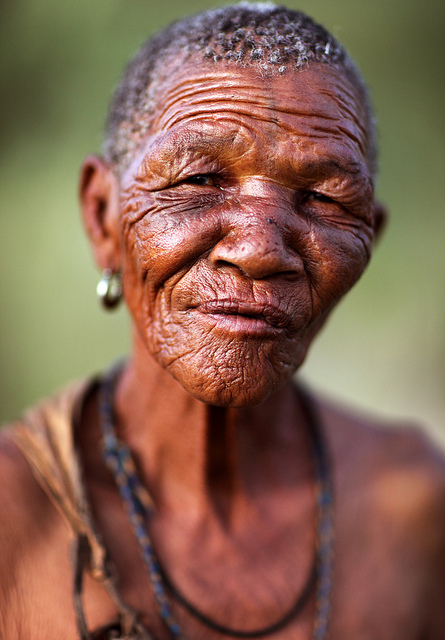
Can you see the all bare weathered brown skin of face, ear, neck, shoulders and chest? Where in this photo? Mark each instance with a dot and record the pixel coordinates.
(243, 218)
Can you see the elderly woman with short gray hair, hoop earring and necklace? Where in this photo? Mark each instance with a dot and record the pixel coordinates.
(189, 491)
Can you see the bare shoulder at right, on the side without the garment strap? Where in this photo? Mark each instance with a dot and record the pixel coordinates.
(389, 481)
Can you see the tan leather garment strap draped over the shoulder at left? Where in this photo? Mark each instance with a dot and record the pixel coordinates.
(45, 436)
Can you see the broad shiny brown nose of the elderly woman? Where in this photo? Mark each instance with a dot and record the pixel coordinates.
(259, 244)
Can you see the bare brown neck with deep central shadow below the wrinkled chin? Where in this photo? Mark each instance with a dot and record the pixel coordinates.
(200, 457)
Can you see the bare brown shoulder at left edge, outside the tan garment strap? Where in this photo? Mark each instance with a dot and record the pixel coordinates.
(32, 534)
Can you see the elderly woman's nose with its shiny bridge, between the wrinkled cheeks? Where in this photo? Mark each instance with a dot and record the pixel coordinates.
(256, 237)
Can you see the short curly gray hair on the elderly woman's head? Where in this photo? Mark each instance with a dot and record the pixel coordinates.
(272, 38)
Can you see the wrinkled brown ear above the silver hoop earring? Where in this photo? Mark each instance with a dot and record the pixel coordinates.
(99, 197)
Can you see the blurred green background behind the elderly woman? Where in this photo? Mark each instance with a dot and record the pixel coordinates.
(384, 348)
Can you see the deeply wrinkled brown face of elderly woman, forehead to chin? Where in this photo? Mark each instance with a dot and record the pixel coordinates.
(245, 216)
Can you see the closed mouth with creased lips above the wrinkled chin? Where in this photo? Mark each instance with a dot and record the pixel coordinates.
(245, 316)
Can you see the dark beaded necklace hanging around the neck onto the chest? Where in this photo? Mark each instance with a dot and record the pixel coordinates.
(118, 459)
